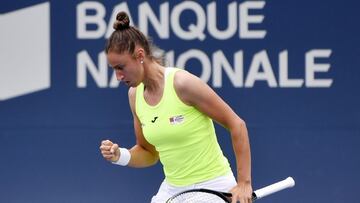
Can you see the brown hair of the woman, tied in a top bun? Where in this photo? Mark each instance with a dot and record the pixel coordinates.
(126, 37)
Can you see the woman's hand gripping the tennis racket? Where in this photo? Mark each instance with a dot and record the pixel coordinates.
(242, 193)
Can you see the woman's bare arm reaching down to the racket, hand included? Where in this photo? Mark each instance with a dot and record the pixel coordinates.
(193, 91)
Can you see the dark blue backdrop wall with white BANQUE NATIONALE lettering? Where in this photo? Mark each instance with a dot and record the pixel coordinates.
(305, 126)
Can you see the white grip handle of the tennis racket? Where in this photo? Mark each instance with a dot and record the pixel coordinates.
(281, 185)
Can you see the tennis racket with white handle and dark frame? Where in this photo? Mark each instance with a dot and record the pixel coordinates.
(211, 196)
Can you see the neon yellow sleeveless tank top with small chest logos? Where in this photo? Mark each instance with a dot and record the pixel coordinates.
(184, 137)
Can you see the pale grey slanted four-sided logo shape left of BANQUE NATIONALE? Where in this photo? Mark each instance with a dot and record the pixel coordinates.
(25, 51)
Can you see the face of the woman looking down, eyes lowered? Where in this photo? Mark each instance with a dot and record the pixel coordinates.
(127, 69)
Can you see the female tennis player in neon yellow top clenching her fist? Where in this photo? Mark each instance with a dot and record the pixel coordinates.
(173, 113)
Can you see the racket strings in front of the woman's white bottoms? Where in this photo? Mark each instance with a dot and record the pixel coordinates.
(197, 197)
